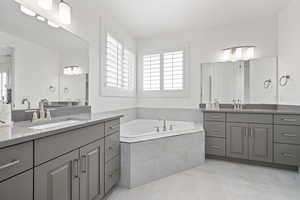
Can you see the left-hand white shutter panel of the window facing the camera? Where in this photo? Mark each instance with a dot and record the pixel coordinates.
(151, 72)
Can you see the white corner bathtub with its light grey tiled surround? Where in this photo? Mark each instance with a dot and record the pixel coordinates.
(147, 155)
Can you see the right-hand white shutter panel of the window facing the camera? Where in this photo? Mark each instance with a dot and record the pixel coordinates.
(173, 63)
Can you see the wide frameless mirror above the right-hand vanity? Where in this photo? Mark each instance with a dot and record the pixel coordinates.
(251, 82)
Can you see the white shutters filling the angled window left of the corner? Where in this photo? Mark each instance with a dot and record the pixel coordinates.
(119, 65)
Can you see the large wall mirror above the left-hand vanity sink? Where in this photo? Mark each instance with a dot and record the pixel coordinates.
(38, 61)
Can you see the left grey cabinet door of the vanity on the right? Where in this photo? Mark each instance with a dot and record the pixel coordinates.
(237, 140)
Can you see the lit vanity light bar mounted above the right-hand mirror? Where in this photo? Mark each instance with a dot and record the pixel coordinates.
(238, 53)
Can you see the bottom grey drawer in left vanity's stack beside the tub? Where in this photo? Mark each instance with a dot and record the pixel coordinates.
(112, 173)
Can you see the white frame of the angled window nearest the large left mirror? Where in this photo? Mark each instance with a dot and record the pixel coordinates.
(108, 91)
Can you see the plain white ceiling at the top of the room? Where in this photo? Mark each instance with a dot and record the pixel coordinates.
(147, 18)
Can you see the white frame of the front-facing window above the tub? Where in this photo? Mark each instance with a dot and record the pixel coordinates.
(163, 93)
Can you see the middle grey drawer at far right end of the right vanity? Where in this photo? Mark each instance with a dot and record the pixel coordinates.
(287, 134)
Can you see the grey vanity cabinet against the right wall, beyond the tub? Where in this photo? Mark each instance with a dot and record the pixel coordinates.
(264, 136)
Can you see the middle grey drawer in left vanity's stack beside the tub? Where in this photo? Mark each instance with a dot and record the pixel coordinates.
(112, 146)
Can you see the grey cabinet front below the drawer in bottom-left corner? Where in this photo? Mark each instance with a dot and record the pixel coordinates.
(18, 188)
